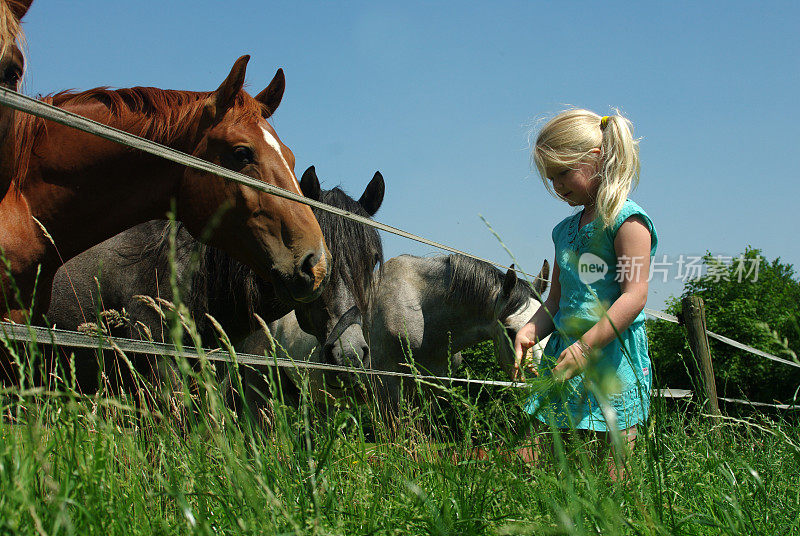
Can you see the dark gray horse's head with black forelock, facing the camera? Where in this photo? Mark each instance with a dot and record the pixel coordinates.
(357, 250)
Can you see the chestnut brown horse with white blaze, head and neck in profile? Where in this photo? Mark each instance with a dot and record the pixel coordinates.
(72, 190)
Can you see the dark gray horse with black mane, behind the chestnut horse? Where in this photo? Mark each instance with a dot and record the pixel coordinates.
(137, 262)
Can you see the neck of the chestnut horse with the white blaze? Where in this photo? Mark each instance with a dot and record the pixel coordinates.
(78, 181)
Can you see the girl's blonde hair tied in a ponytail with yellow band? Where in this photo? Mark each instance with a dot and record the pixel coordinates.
(573, 137)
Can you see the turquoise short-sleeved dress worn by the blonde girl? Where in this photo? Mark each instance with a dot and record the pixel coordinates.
(620, 376)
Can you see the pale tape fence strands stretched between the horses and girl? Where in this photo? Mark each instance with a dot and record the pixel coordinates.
(11, 332)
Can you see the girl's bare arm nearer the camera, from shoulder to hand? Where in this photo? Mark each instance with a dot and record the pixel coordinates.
(632, 246)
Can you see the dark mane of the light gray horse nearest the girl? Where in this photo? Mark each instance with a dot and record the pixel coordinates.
(477, 282)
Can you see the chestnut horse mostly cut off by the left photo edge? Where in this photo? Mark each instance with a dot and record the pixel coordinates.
(11, 66)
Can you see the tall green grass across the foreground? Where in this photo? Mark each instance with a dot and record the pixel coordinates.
(103, 465)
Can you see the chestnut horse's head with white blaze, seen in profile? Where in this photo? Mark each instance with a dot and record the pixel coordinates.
(280, 239)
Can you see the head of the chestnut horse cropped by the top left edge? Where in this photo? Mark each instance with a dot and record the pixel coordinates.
(12, 62)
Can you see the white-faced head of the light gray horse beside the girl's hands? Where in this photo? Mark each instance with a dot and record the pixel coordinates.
(515, 305)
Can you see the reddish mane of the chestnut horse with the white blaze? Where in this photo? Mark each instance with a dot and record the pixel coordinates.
(162, 115)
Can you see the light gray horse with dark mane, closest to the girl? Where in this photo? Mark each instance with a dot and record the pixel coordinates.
(425, 310)
